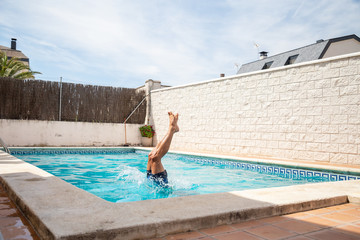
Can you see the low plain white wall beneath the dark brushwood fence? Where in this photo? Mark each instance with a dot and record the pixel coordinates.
(54, 133)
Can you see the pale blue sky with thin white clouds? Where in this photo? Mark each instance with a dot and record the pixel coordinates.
(123, 43)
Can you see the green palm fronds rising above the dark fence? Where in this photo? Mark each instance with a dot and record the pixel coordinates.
(13, 68)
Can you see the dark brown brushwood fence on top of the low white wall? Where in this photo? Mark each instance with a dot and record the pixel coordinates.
(39, 100)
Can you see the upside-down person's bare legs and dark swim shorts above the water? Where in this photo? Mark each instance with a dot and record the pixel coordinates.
(155, 169)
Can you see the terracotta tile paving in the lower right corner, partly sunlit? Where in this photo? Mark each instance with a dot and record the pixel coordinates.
(341, 222)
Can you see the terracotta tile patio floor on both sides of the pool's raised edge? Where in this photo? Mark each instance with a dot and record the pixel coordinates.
(336, 222)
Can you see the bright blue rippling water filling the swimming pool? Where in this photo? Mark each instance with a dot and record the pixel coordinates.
(120, 176)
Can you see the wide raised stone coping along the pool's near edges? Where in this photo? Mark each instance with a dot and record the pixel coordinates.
(59, 210)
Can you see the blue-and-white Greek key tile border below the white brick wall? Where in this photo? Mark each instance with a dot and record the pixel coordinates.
(277, 170)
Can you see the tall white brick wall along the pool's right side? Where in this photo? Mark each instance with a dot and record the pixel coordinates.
(308, 111)
